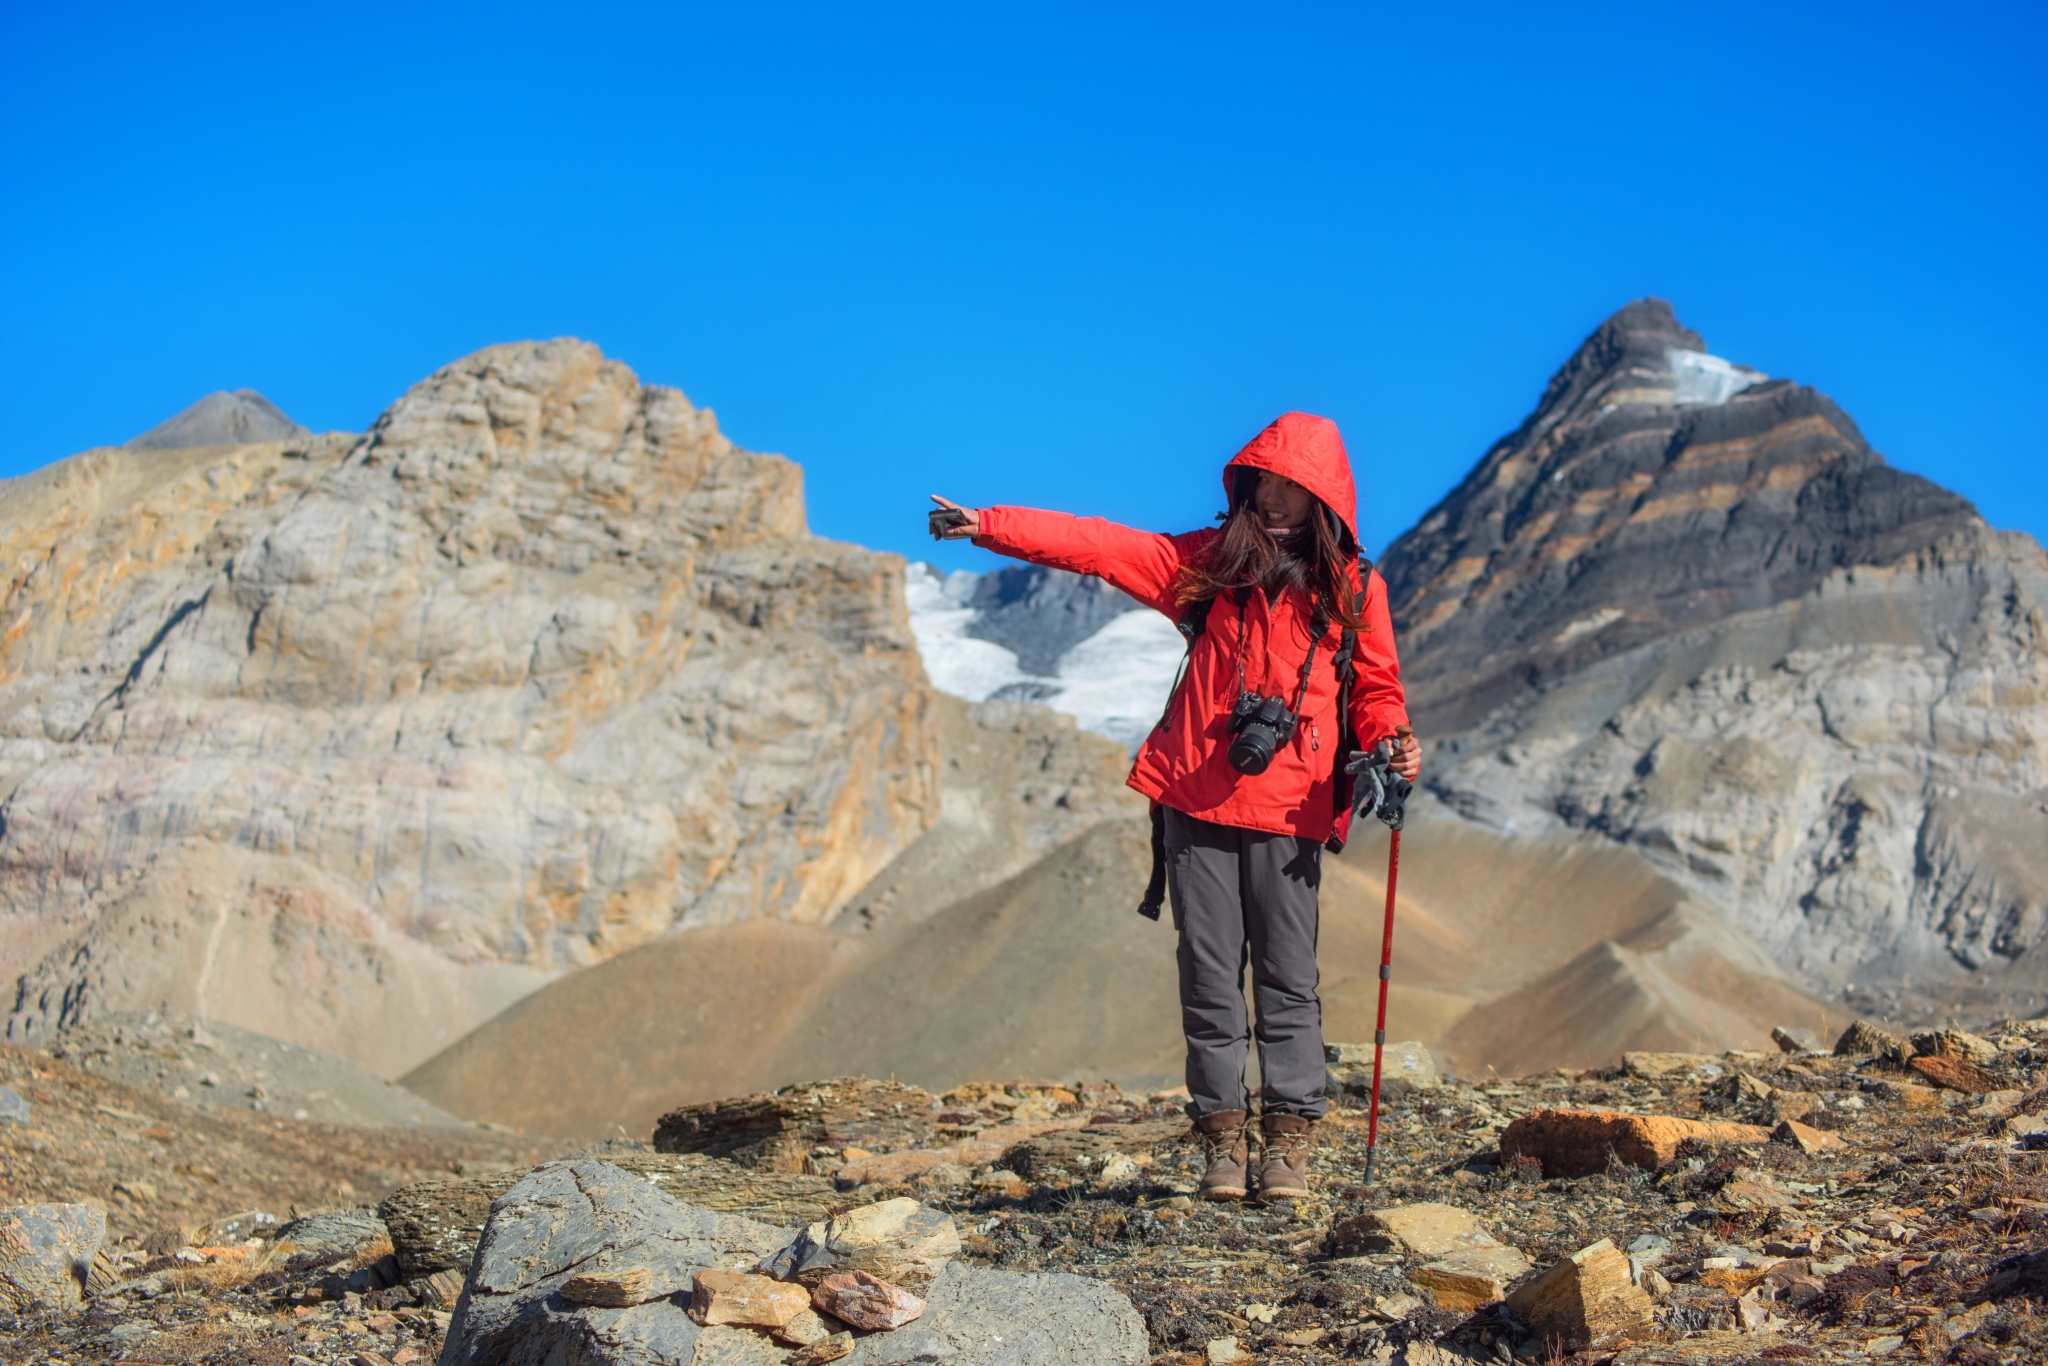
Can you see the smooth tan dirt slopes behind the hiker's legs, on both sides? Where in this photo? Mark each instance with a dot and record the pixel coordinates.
(974, 957)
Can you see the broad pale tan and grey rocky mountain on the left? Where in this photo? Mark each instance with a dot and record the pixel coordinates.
(359, 740)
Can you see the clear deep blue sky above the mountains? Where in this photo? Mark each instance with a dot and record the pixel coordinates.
(1066, 257)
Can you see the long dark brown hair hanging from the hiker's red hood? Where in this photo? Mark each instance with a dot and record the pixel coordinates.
(1248, 554)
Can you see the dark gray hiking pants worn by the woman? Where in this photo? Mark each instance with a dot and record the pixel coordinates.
(1244, 896)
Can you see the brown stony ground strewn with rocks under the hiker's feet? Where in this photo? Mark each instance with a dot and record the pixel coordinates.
(1916, 1228)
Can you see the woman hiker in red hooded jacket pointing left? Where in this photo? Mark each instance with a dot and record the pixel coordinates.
(1248, 765)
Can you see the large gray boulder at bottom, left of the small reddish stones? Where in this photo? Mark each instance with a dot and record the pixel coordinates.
(577, 1220)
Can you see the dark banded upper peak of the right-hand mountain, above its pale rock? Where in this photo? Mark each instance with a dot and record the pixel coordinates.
(1656, 488)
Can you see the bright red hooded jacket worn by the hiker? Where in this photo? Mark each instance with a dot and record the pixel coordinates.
(1185, 763)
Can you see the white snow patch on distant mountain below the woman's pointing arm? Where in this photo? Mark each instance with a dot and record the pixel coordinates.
(1113, 683)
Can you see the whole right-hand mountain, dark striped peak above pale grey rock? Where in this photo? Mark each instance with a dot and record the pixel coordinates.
(1693, 611)
